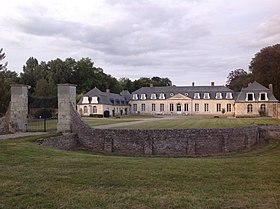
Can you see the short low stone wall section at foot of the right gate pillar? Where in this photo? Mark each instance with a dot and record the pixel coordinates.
(66, 142)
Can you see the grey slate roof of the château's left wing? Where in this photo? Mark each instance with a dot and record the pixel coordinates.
(107, 97)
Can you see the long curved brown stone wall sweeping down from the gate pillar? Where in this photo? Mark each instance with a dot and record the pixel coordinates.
(171, 142)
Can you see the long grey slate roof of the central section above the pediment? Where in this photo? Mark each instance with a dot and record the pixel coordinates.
(188, 91)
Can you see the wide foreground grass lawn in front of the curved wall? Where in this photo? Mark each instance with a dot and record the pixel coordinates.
(37, 177)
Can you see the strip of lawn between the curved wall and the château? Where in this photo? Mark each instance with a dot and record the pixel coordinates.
(203, 122)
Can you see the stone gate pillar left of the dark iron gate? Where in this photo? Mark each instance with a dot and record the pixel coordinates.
(19, 108)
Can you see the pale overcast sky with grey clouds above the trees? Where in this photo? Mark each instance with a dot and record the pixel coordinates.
(184, 40)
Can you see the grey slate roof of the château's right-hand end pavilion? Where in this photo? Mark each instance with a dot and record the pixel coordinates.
(255, 88)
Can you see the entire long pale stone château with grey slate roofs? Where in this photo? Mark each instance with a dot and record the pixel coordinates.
(255, 100)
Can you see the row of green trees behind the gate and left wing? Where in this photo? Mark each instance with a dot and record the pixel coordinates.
(43, 78)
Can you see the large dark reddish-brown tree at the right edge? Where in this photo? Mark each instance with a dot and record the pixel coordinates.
(265, 67)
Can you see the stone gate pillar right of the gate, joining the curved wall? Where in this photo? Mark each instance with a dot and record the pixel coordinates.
(66, 99)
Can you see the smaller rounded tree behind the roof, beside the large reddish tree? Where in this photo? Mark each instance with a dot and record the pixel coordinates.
(238, 79)
